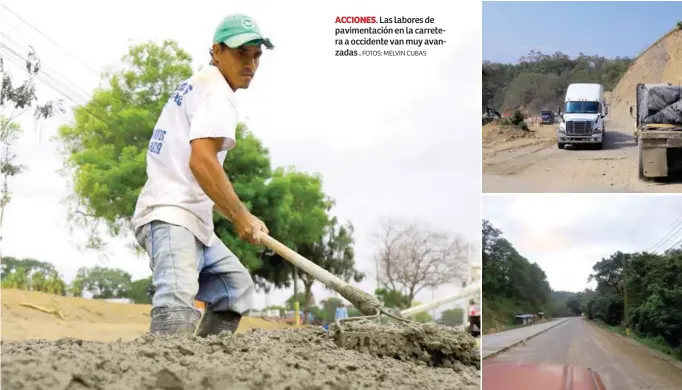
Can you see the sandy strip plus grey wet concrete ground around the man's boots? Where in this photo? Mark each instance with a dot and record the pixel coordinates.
(55, 342)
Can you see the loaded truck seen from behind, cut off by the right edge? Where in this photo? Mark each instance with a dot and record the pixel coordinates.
(658, 129)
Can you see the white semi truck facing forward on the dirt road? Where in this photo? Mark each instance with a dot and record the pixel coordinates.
(582, 119)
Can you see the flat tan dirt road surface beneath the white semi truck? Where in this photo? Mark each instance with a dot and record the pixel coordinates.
(543, 167)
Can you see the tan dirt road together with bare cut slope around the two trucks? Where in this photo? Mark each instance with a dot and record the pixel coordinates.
(537, 165)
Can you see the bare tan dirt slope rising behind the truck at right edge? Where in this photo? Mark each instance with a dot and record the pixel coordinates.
(660, 63)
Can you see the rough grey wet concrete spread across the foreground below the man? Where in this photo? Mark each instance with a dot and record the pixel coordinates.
(291, 359)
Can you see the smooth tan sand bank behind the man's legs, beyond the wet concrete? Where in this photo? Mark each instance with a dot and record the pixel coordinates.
(32, 315)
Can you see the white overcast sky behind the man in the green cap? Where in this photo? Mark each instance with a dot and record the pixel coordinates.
(392, 137)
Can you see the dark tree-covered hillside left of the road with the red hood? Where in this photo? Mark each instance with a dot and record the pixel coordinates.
(512, 284)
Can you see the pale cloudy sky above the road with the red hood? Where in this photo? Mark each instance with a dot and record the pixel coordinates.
(566, 234)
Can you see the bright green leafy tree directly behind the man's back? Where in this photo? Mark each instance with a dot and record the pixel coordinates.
(105, 145)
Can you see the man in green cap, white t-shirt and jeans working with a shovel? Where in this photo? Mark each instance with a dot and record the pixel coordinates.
(173, 218)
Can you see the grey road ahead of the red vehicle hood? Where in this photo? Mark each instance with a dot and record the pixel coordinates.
(622, 363)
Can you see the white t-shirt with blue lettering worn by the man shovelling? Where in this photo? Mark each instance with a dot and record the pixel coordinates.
(204, 106)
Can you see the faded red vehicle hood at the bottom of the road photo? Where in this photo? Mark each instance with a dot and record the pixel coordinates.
(538, 376)
